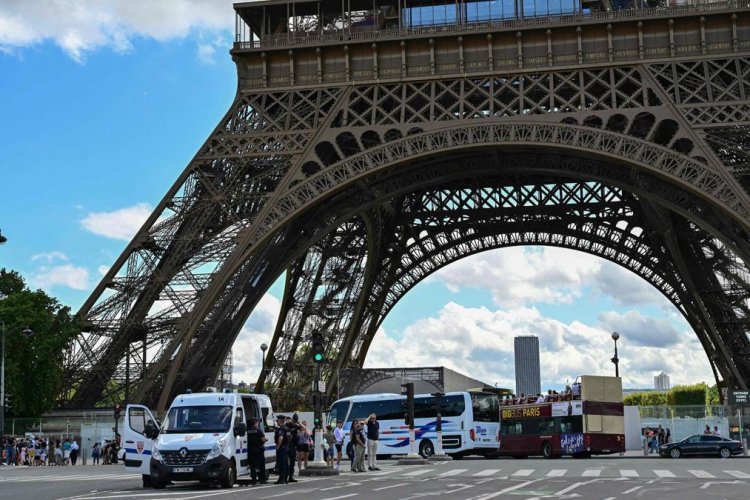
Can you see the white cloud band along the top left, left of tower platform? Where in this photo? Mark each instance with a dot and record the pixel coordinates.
(82, 26)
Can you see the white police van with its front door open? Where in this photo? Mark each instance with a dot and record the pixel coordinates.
(203, 437)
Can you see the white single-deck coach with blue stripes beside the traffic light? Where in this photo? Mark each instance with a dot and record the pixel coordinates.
(470, 422)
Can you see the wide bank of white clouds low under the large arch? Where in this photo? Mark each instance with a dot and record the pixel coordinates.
(479, 343)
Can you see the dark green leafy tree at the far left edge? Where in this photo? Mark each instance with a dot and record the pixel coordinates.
(33, 365)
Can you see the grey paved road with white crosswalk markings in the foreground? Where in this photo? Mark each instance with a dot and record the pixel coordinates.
(600, 478)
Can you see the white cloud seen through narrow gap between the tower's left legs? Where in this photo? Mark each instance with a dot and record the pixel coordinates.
(259, 328)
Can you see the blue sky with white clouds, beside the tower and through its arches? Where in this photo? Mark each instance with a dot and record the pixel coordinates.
(101, 108)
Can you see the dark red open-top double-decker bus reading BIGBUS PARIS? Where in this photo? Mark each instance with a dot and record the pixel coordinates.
(587, 421)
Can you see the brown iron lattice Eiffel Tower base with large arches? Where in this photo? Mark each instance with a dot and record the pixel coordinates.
(360, 160)
